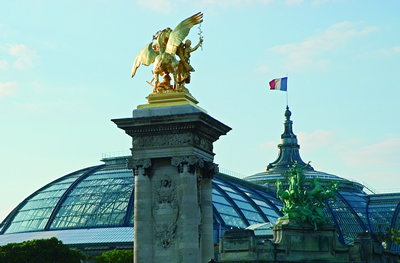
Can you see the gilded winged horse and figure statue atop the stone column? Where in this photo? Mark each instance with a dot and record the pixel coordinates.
(162, 51)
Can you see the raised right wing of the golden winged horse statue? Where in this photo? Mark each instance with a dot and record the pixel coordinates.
(181, 31)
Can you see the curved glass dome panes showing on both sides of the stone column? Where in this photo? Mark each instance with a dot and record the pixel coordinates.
(102, 196)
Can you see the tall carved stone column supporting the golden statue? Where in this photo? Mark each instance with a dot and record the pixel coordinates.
(172, 160)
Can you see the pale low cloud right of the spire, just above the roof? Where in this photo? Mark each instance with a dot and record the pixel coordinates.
(377, 164)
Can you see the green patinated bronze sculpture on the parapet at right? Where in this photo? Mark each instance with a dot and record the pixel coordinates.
(304, 204)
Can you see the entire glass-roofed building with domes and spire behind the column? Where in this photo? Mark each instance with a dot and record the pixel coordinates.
(94, 206)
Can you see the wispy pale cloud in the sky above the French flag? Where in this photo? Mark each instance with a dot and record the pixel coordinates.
(306, 54)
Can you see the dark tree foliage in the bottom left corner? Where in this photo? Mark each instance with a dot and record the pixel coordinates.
(40, 251)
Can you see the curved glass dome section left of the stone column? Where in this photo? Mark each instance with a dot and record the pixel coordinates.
(93, 197)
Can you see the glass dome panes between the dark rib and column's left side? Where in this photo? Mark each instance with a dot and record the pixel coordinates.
(100, 200)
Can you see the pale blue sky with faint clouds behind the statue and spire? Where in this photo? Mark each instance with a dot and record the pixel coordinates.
(65, 73)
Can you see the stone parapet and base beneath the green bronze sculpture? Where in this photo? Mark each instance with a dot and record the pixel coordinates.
(296, 241)
